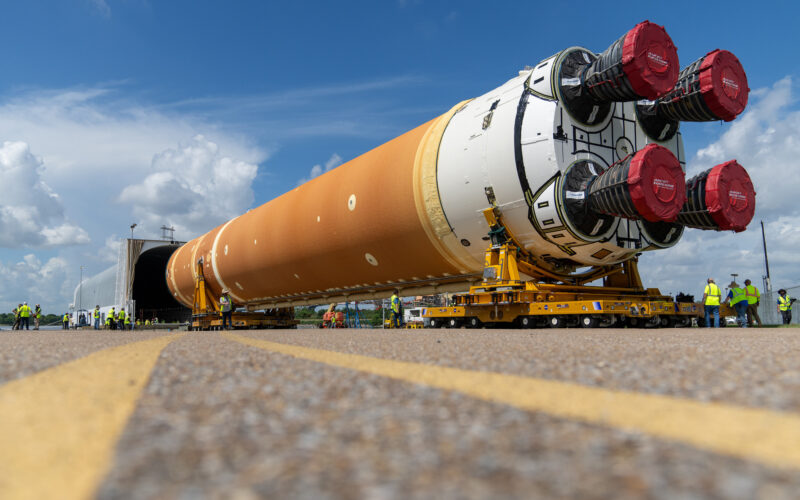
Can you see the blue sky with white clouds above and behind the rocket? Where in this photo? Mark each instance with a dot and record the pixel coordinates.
(110, 102)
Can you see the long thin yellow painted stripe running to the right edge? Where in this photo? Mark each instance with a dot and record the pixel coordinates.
(770, 437)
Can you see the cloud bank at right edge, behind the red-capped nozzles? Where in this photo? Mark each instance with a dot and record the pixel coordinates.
(766, 141)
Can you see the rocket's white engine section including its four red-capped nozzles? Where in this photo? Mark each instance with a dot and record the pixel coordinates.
(588, 173)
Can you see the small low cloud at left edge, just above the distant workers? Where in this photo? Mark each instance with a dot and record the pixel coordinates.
(35, 282)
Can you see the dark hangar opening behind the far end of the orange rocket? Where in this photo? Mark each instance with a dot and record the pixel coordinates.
(149, 289)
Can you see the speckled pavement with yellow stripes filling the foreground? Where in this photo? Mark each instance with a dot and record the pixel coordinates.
(681, 413)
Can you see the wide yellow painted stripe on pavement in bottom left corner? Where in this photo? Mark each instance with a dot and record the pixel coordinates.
(59, 427)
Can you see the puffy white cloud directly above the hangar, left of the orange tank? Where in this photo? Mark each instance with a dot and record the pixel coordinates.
(193, 187)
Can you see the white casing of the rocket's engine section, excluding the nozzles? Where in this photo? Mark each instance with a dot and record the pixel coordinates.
(484, 143)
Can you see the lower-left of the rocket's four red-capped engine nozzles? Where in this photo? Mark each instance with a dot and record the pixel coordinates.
(648, 184)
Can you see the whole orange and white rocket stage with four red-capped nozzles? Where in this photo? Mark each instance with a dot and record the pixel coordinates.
(581, 153)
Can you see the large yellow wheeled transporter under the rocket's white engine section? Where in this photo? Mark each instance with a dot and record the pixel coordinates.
(554, 300)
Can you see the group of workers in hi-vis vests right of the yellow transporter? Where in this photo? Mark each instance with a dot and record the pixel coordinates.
(744, 301)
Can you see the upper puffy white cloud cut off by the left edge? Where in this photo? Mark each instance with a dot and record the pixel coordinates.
(31, 213)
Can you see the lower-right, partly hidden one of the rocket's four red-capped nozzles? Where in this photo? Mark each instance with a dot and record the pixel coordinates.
(721, 198)
